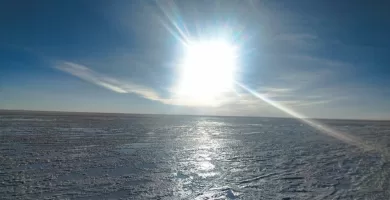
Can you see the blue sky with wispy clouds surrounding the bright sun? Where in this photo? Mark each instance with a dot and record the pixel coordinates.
(323, 59)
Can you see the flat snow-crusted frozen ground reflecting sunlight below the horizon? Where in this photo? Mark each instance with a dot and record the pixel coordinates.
(95, 156)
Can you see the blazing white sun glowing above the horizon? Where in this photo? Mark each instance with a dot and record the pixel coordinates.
(206, 72)
